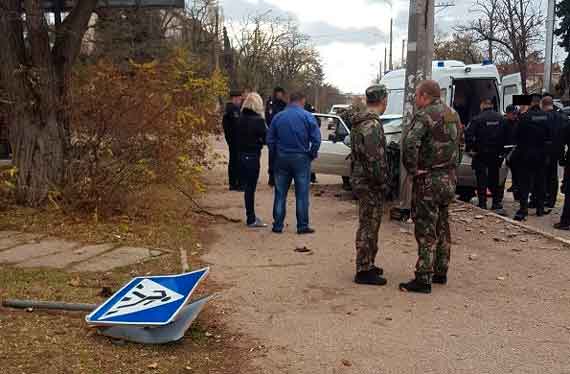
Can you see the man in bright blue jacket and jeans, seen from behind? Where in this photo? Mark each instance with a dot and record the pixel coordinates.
(294, 138)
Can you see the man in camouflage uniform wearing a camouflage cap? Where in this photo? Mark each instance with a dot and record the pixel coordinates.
(369, 182)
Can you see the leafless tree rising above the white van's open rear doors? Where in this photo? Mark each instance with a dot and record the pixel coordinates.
(513, 26)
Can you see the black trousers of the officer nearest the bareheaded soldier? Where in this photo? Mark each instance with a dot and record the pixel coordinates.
(487, 169)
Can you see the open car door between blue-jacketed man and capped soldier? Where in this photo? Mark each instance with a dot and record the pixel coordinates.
(333, 154)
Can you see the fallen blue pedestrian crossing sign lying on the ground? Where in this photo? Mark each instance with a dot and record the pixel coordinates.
(148, 301)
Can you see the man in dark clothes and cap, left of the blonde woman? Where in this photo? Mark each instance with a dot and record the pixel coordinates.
(230, 122)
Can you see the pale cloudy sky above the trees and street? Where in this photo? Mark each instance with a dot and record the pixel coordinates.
(350, 35)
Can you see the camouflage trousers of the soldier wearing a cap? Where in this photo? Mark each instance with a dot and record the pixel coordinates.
(370, 209)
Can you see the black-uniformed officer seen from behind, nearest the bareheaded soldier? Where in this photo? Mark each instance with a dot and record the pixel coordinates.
(486, 137)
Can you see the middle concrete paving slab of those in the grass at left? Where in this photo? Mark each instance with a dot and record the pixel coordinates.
(63, 259)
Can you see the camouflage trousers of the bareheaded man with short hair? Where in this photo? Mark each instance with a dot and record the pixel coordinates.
(434, 238)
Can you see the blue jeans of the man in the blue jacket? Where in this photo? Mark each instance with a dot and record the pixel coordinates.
(289, 167)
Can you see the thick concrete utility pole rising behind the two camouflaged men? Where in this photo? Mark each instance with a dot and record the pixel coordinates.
(418, 68)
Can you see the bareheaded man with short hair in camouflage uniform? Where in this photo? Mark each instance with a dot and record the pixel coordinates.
(432, 151)
